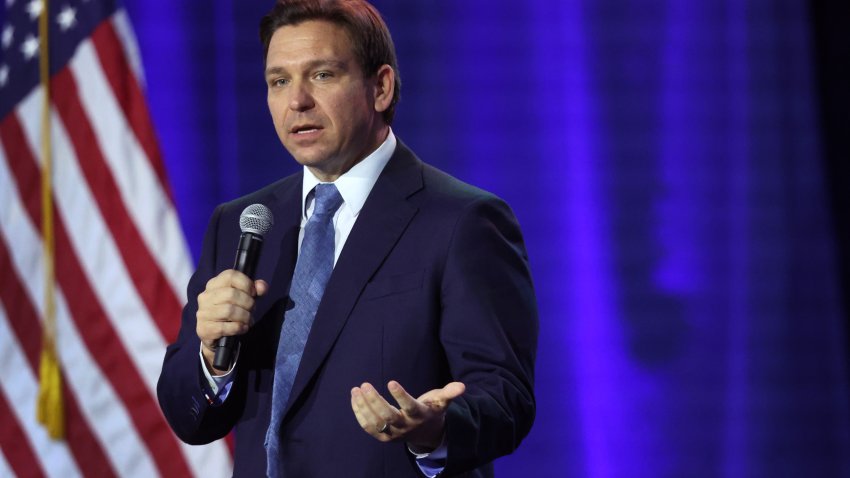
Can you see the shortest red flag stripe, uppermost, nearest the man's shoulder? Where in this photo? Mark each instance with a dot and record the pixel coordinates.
(129, 94)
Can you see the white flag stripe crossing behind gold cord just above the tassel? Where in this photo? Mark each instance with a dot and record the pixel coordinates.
(102, 408)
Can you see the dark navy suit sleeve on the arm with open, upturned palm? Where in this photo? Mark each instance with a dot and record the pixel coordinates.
(489, 329)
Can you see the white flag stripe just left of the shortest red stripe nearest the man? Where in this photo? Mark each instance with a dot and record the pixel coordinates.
(143, 195)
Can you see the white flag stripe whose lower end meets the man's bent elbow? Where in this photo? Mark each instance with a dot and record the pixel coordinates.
(102, 263)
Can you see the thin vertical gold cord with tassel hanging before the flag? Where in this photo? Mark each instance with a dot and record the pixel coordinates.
(50, 408)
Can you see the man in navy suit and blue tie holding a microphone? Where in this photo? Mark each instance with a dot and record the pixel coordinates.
(392, 327)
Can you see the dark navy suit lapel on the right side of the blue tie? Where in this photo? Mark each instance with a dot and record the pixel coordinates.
(381, 222)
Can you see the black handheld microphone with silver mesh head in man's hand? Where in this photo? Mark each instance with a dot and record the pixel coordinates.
(255, 221)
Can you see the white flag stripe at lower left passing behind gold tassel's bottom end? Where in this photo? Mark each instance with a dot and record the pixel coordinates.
(20, 386)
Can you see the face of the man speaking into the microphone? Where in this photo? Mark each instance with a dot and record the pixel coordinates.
(322, 104)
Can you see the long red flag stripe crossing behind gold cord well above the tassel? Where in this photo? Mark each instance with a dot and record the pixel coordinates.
(103, 342)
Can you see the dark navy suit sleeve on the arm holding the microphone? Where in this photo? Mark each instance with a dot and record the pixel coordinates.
(180, 391)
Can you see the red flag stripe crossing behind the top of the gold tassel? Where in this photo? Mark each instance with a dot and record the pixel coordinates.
(23, 320)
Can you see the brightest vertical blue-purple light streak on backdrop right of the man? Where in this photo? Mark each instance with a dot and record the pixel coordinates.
(587, 291)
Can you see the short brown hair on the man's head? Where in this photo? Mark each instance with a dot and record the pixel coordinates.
(373, 45)
